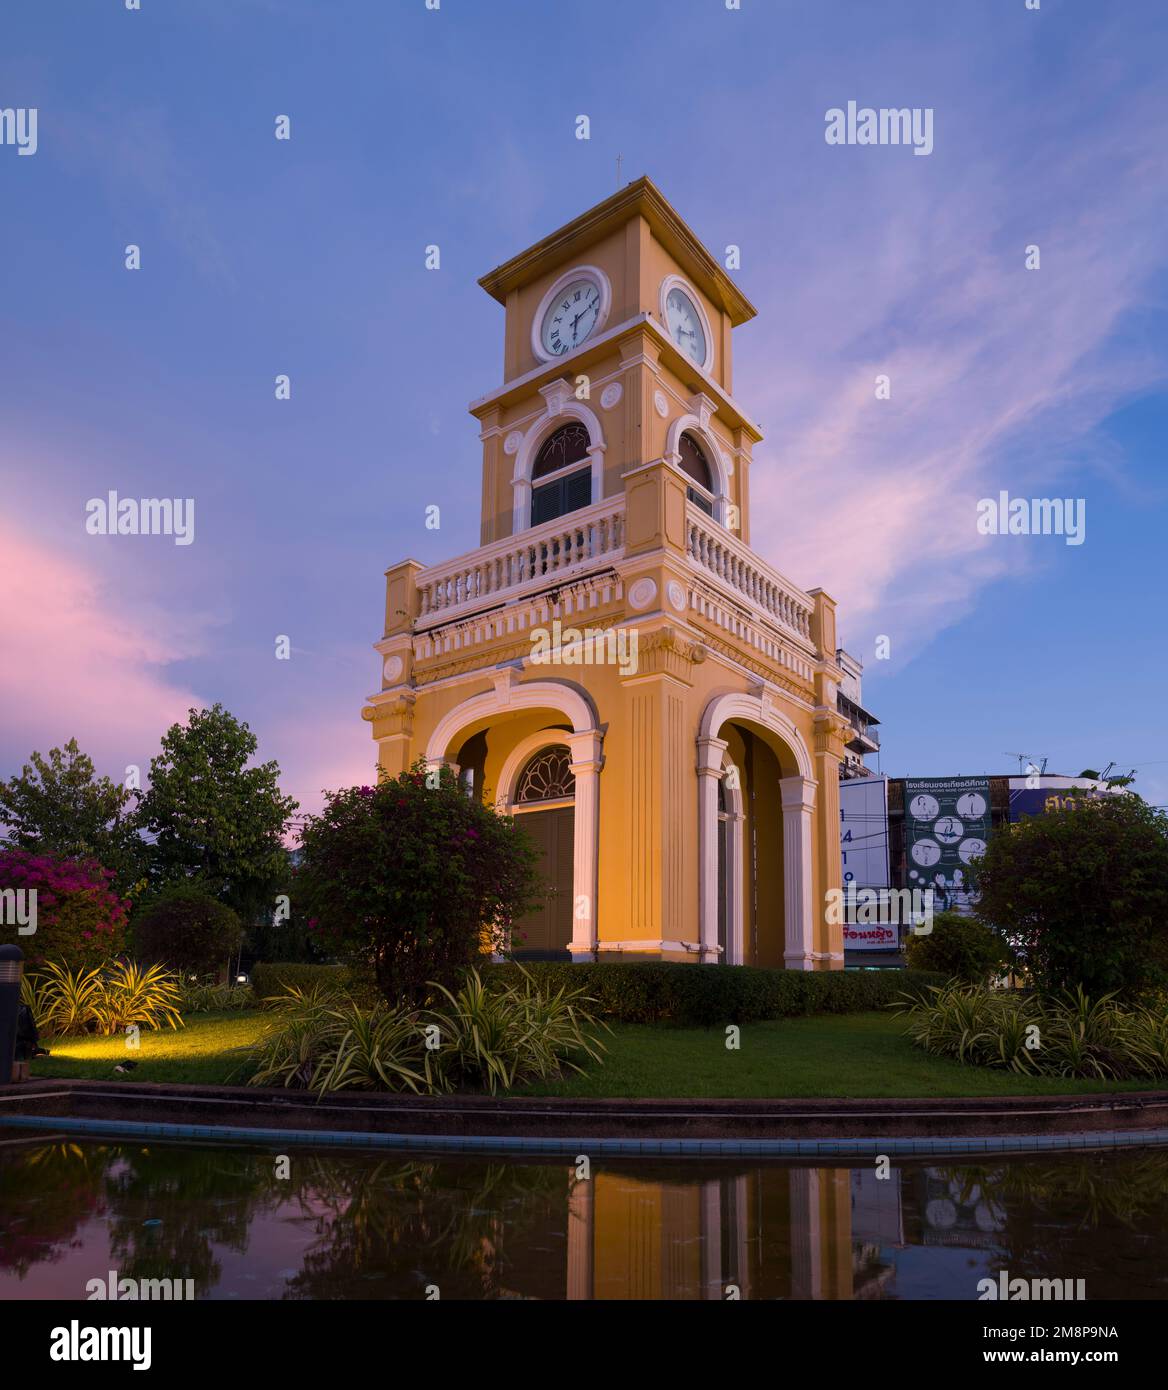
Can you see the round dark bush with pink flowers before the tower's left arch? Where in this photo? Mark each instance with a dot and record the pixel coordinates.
(415, 879)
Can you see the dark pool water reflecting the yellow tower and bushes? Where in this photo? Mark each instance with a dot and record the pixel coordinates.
(368, 1227)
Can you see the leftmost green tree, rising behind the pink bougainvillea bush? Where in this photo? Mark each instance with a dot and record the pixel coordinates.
(59, 807)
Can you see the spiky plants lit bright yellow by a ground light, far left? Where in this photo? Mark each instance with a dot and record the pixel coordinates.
(104, 1000)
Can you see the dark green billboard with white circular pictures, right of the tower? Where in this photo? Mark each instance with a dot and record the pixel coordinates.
(946, 828)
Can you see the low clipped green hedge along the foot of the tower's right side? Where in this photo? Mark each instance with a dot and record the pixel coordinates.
(651, 992)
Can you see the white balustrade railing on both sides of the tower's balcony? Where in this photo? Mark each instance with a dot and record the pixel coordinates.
(593, 540)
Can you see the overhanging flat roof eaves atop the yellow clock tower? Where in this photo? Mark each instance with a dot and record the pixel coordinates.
(640, 198)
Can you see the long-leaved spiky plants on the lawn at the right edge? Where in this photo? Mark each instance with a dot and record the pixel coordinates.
(1067, 1035)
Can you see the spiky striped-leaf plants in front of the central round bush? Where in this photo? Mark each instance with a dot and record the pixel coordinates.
(487, 1040)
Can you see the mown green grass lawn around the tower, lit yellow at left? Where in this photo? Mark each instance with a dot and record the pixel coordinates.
(842, 1056)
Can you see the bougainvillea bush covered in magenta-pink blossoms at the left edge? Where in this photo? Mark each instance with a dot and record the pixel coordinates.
(80, 919)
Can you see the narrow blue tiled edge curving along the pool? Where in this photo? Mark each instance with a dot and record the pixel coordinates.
(905, 1147)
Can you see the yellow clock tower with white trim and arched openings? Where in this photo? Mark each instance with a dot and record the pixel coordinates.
(615, 665)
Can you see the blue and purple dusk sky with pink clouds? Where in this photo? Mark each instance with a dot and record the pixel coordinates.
(414, 127)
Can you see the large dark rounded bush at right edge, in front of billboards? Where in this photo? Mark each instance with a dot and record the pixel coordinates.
(1082, 894)
